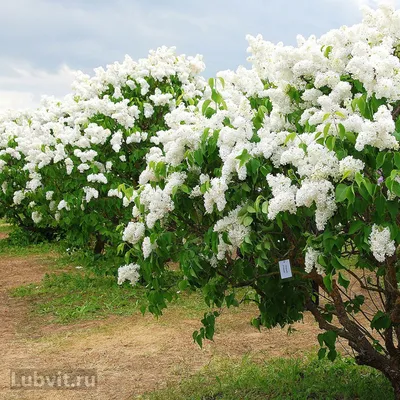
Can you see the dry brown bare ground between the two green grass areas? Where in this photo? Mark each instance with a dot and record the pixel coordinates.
(132, 355)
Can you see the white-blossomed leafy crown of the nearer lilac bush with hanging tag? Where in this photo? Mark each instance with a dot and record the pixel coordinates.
(298, 133)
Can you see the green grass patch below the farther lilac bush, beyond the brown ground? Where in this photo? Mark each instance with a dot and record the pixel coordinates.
(67, 294)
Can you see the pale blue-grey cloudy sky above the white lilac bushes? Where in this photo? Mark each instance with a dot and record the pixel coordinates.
(44, 41)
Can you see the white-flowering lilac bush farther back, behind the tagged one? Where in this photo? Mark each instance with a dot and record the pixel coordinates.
(71, 156)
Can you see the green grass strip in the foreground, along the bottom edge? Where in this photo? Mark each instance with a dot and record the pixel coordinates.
(279, 379)
